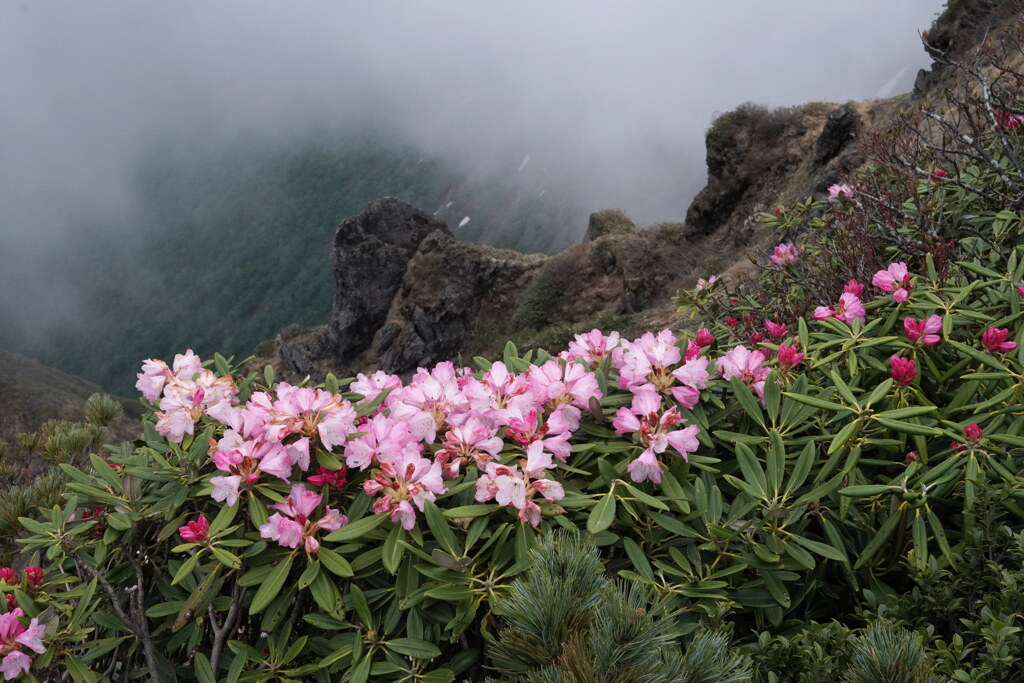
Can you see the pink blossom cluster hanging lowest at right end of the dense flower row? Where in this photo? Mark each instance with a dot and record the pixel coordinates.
(655, 433)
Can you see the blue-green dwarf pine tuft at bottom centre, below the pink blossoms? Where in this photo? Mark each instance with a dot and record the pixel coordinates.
(566, 622)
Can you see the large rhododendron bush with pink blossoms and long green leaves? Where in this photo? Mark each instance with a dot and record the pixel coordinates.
(830, 431)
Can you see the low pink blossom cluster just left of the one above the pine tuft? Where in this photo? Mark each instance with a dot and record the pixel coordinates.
(409, 478)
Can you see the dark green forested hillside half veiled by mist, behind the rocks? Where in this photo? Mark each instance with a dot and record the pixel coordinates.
(248, 228)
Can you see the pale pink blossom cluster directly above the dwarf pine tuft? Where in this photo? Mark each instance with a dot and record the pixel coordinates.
(513, 487)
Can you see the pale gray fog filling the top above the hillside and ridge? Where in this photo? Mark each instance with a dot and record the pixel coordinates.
(610, 99)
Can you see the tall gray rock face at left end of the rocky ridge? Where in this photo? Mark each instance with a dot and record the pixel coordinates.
(370, 257)
